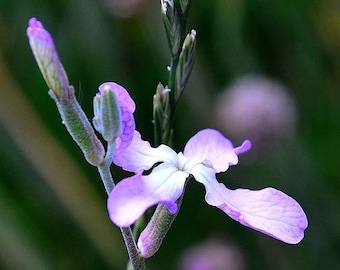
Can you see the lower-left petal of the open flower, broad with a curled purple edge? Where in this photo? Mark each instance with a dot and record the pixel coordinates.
(132, 196)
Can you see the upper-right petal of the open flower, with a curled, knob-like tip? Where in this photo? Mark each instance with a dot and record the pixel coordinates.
(217, 151)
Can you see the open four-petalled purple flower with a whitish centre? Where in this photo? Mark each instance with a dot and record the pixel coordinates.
(269, 211)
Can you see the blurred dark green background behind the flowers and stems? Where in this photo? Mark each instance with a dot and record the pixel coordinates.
(52, 203)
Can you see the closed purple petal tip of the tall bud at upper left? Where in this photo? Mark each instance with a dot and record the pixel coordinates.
(47, 58)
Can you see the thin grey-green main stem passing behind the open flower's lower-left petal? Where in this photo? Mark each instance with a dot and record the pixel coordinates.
(137, 262)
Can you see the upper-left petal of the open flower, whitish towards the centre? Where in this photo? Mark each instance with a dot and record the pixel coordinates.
(139, 155)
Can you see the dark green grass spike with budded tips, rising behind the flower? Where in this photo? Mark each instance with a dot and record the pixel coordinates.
(182, 50)
